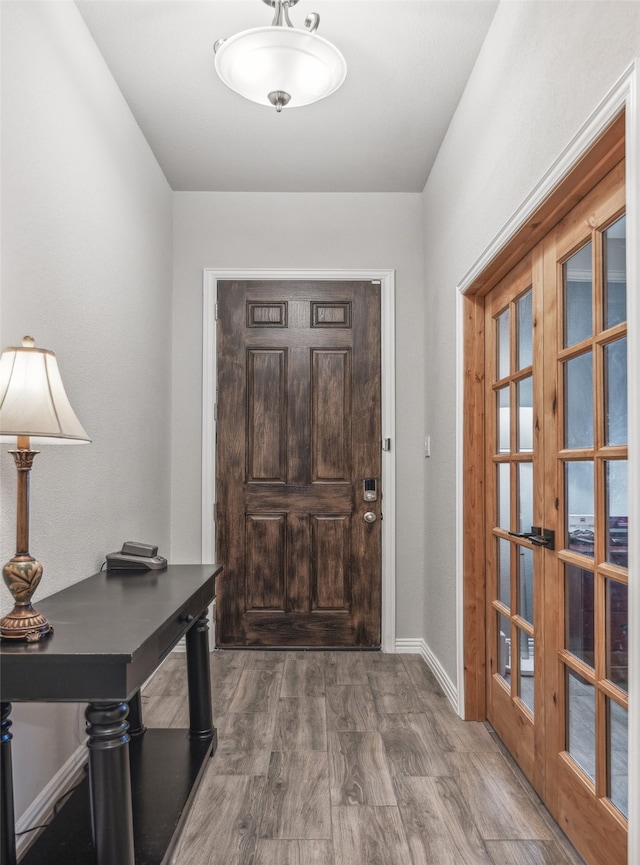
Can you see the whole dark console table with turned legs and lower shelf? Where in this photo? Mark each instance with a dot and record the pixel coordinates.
(110, 633)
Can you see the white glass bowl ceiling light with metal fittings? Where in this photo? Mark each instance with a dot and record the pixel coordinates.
(281, 64)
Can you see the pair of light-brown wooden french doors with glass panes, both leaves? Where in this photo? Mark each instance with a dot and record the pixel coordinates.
(556, 480)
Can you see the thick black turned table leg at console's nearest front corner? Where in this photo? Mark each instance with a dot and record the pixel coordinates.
(110, 783)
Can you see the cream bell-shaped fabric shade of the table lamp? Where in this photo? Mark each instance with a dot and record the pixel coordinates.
(33, 401)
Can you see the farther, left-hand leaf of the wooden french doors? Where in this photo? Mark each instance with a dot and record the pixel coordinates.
(515, 503)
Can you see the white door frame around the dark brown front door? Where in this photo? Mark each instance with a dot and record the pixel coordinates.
(386, 278)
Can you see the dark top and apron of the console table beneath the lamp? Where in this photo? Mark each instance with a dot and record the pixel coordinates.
(110, 632)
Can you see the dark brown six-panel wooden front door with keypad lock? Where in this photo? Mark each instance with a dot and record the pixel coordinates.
(298, 436)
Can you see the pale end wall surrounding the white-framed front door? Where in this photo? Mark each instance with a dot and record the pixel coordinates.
(253, 230)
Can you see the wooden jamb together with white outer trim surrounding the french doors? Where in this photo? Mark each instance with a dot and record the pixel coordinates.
(611, 133)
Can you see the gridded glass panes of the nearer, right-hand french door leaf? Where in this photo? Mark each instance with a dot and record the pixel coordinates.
(591, 353)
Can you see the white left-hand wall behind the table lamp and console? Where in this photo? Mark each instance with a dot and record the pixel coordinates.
(86, 271)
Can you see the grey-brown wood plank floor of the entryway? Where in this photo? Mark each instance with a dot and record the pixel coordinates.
(347, 758)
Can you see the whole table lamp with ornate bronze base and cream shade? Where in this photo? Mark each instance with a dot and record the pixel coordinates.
(34, 409)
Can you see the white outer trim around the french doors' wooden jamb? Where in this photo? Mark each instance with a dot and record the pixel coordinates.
(624, 94)
